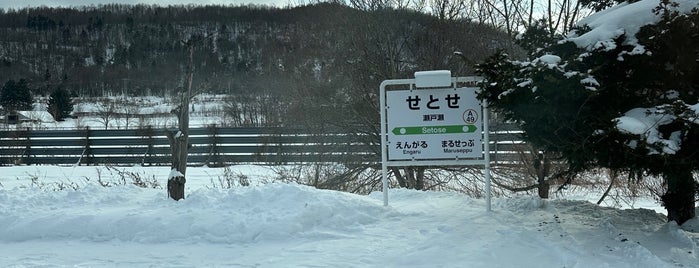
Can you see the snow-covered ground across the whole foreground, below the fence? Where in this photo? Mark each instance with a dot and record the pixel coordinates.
(271, 224)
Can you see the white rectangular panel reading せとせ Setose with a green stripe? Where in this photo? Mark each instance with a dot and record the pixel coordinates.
(431, 124)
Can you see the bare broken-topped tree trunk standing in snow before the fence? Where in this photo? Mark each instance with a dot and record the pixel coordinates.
(179, 141)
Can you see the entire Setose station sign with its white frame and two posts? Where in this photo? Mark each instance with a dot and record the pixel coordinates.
(433, 121)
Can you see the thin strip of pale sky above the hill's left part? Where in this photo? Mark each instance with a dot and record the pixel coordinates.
(6, 4)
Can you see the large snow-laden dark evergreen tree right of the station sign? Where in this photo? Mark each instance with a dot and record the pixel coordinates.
(579, 100)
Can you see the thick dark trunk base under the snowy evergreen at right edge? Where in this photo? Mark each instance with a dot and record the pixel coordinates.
(679, 200)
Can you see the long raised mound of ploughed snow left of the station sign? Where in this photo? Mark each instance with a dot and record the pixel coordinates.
(269, 212)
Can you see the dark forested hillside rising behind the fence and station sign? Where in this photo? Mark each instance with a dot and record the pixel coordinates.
(292, 59)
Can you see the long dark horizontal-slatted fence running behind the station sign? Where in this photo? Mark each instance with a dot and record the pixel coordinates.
(210, 146)
